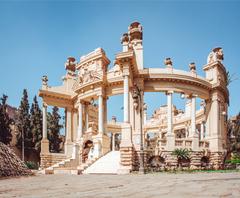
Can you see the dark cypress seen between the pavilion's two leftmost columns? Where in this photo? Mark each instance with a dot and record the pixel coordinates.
(54, 128)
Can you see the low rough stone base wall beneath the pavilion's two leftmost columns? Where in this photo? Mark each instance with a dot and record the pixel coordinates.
(50, 159)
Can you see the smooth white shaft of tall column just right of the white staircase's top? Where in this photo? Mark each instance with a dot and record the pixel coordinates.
(126, 98)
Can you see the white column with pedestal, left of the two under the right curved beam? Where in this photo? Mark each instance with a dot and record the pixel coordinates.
(170, 134)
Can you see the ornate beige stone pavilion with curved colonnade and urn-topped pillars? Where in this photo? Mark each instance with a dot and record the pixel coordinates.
(137, 139)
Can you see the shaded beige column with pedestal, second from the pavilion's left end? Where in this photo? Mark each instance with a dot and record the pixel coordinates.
(68, 143)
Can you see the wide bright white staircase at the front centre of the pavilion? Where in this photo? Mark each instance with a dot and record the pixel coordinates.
(108, 164)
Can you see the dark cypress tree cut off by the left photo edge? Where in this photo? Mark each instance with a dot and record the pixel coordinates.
(5, 121)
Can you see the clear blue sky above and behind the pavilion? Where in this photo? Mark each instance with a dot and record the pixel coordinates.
(36, 37)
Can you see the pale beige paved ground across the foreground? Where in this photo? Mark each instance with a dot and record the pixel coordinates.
(148, 186)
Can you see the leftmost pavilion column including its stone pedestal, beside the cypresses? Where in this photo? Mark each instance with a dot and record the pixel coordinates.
(44, 141)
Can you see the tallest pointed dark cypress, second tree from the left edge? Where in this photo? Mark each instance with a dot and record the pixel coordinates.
(23, 123)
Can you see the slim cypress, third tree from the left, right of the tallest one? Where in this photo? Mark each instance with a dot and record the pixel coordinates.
(36, 124)
